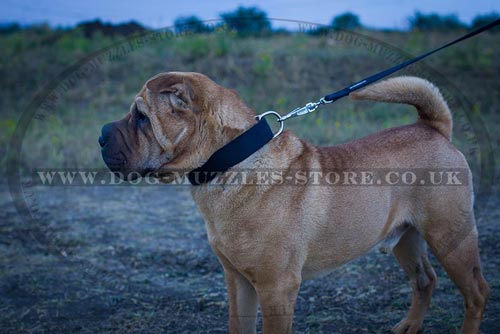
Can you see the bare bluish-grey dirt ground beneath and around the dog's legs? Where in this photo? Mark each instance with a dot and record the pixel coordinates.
(136, 260)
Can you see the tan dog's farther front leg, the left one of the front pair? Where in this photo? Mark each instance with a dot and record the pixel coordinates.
(242, 303)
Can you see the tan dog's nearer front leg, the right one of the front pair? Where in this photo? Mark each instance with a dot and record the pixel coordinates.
(277, 302)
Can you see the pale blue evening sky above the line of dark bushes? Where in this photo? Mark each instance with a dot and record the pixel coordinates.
(162, 13)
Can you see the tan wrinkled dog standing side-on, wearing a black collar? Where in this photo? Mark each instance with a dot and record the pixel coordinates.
(269, 238)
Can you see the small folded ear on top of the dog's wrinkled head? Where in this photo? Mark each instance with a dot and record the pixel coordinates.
(171, 82)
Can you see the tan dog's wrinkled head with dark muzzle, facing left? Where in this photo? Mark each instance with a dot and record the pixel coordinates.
(174, 124)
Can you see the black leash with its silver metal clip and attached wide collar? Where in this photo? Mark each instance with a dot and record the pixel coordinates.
(260, 134)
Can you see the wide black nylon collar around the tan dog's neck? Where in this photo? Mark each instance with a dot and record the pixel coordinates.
(232, 153)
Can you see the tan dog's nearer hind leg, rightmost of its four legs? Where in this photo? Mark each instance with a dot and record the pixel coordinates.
(453, 238)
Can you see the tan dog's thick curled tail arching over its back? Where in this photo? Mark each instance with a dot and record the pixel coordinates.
(431, 106)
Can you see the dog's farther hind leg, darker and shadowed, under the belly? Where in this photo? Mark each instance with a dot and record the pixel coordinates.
(411, 253)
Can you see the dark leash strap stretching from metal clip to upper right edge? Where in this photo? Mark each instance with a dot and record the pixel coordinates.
(371, 79)
